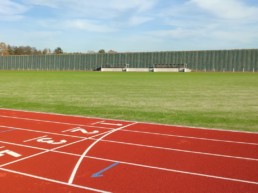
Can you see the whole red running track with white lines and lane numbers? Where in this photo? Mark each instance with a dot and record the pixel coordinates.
(42, 153)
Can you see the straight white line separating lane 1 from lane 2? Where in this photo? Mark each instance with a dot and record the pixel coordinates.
(136, 131)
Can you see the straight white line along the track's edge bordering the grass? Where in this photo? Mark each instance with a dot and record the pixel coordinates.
(148, 123)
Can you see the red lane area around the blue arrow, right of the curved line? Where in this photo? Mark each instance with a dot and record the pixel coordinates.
(127, 178)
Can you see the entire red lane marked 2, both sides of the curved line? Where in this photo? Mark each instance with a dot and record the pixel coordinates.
(176, 142)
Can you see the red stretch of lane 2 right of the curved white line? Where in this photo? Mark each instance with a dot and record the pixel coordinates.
(189, 144)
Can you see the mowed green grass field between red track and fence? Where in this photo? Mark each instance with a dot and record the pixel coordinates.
(213, 100)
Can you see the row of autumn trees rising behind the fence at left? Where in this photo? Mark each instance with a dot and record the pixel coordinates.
(8, 50)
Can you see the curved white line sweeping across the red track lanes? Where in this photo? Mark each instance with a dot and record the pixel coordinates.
(70, 181)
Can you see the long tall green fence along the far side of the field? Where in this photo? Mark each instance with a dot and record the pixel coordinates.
(242, 60)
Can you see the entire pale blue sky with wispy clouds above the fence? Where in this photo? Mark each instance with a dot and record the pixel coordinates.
(130, 25)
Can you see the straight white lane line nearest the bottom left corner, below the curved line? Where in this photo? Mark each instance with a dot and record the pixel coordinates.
(54, 181)
